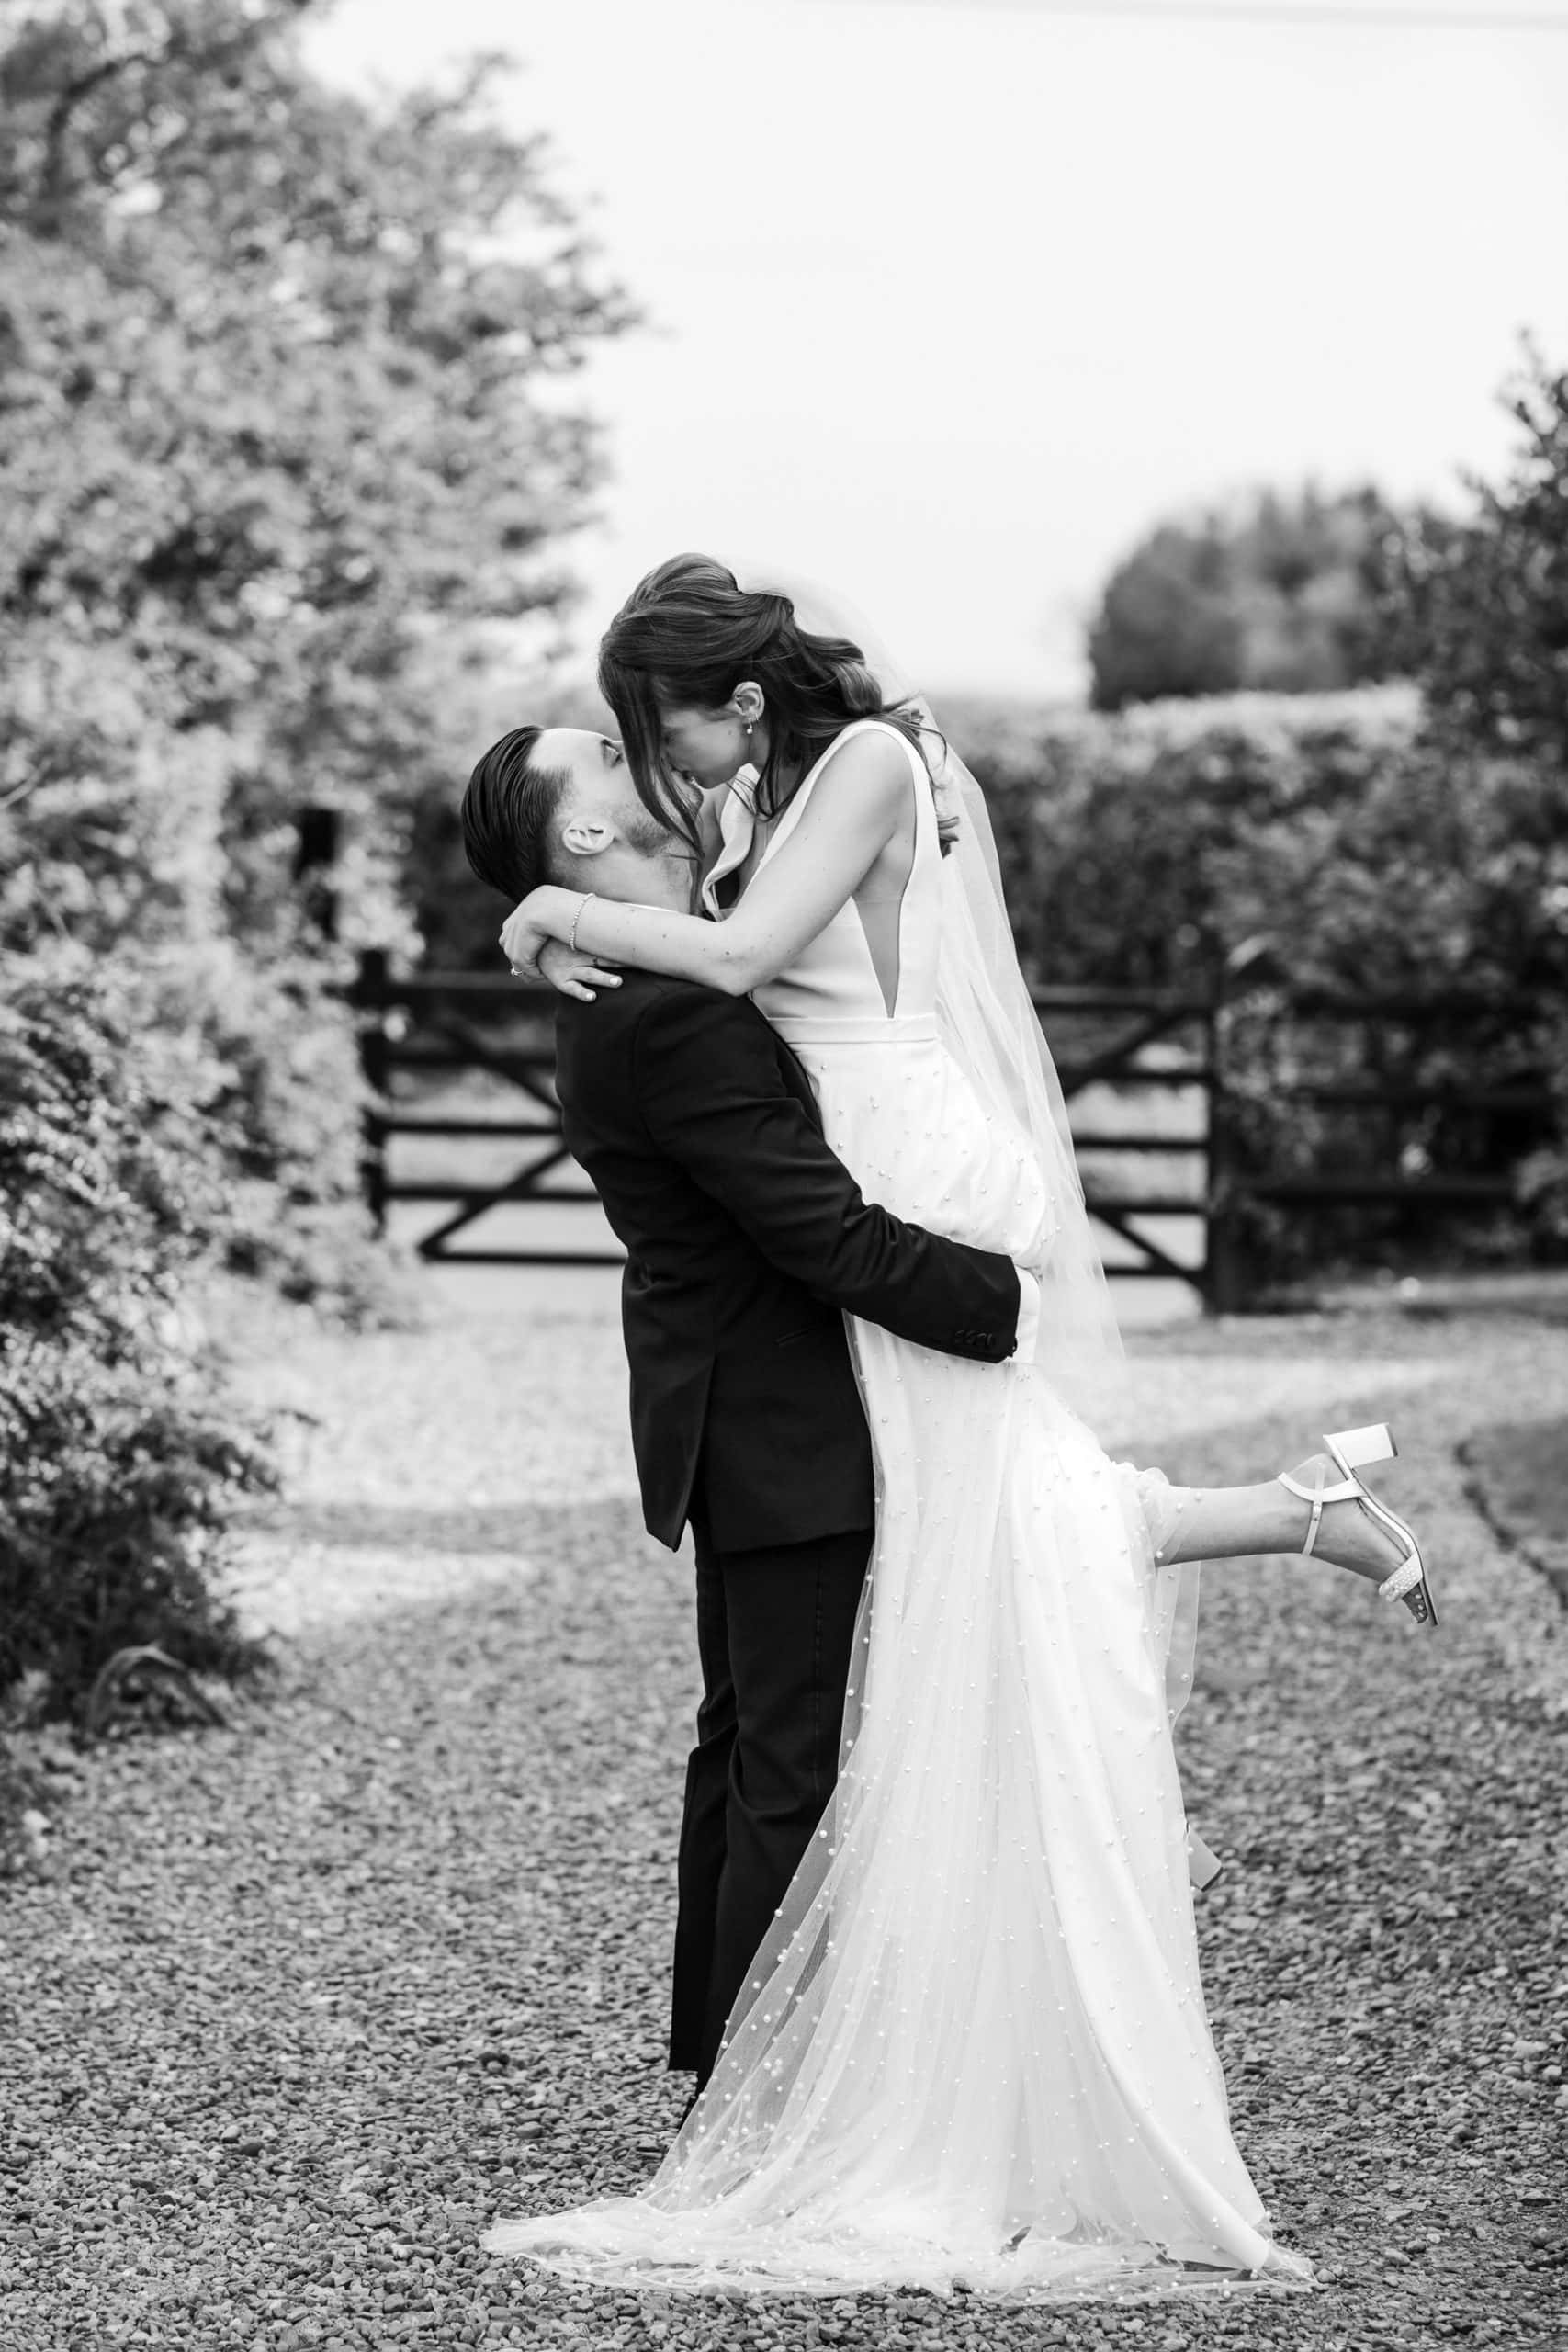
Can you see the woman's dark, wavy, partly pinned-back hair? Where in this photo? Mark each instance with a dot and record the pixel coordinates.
(690, 636)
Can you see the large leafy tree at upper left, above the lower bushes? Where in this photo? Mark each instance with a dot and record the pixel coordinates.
(283, 443)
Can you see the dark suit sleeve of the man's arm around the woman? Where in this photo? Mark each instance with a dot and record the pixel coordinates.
(713, 1097)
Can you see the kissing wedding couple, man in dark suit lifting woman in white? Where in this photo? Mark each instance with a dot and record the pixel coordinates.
(934, 1963)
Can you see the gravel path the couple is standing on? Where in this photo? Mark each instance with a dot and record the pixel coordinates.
(304, 2003)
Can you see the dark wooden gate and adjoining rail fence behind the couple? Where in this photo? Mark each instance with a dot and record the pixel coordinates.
(1118, 1053)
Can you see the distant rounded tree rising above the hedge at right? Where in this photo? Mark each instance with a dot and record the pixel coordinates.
(1280, 596)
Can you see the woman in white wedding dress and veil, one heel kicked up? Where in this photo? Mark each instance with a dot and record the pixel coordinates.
(972, 2050)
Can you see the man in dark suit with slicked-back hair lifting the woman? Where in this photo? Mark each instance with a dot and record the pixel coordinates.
(746, 1248)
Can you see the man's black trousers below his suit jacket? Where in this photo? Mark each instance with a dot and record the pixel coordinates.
(775, 1636)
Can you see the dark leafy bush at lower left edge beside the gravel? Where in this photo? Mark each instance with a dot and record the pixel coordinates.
(121, 1462)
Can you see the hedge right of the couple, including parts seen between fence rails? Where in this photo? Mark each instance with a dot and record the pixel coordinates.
(1346, 850)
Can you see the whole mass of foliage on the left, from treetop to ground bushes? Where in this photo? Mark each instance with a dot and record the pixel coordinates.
(283, 474)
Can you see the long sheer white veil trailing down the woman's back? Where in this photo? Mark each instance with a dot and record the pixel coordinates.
(989, 1017)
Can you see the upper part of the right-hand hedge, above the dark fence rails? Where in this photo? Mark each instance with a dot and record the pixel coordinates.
(1144, 850)
